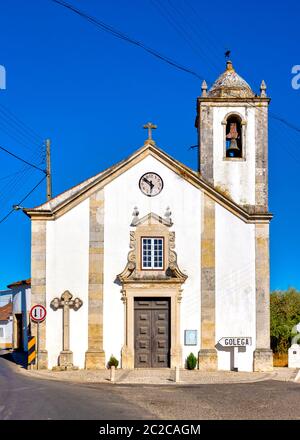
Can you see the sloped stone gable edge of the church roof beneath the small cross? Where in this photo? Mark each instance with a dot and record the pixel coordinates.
(70, 198)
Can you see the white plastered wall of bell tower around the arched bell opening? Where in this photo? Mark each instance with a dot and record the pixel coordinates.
(235, 176)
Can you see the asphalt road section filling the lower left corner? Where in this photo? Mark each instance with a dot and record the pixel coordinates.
(23, 398)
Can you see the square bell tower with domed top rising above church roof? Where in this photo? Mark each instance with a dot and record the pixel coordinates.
(232, 124)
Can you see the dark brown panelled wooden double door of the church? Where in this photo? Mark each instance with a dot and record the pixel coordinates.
(152, 332)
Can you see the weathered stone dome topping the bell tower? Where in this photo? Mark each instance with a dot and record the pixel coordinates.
(230, 85)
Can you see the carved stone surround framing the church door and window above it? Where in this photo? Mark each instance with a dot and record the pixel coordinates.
(164, 283)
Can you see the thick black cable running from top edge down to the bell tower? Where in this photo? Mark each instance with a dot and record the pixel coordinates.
(122, 36)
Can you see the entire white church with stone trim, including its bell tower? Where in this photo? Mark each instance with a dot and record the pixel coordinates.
(150, 260)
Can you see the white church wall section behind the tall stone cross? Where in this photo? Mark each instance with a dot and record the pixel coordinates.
(67, 264)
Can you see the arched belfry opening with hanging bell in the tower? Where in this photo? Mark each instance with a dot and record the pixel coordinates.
(234, 136)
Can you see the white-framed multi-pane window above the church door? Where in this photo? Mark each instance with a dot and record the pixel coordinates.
(152, 253)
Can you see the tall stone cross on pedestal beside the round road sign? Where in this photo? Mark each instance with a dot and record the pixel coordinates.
(65, 359)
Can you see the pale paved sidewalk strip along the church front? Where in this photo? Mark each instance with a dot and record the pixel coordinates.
(163, 376)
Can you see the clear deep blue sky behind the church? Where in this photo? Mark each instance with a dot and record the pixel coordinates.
(91, 94)
